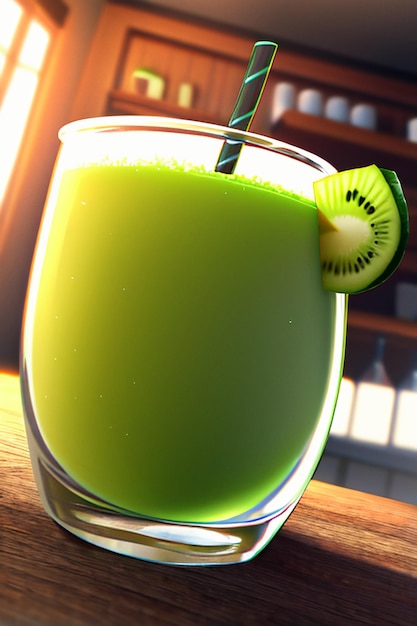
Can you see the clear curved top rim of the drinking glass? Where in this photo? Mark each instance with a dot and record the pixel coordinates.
(130, 123)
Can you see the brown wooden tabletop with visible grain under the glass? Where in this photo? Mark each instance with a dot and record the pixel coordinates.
(343, 557)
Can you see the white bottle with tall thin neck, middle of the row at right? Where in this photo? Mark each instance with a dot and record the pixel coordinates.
(374, 402)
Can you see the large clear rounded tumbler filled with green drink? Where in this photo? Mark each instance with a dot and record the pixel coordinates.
(180, 360)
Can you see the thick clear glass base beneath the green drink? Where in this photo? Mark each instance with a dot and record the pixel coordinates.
(149, 539)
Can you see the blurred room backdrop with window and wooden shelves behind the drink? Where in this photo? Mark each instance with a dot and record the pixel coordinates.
(344, 85)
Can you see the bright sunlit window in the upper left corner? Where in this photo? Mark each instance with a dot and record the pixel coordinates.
(24, 41)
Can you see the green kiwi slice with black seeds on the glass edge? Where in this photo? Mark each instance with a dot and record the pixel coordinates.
(363, 223)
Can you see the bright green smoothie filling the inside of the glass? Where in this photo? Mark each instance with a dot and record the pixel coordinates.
(181, 340)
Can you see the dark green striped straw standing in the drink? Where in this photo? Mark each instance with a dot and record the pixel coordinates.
(247, 101)
